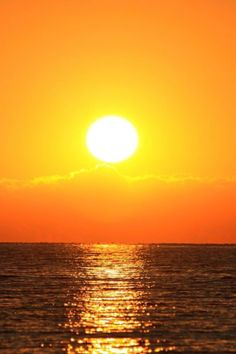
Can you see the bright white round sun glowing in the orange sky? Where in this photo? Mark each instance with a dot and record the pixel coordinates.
(112, 139)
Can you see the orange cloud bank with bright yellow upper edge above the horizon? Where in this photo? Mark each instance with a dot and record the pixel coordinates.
(101, 204)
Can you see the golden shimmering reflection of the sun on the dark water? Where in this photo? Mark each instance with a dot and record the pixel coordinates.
(106, 314)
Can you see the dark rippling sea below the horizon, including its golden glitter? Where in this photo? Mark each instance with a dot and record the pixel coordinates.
(117, 298)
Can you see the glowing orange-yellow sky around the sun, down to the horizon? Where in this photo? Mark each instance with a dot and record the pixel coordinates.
(169, 67)
